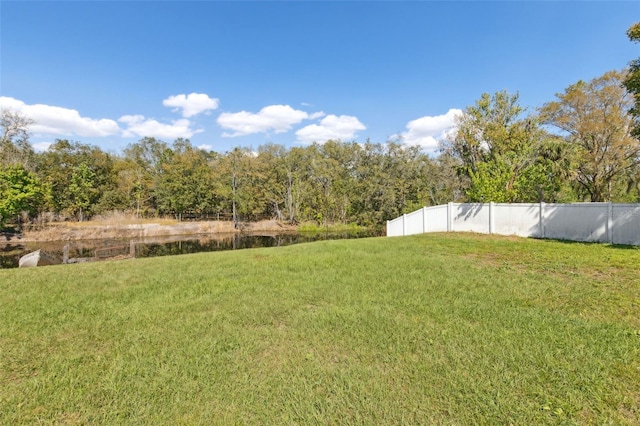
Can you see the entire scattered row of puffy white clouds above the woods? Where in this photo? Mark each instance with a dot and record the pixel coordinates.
(52, 121)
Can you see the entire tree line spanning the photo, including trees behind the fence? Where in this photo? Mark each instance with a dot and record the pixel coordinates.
(582, 146)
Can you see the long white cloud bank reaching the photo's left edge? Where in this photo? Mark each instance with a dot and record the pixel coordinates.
(52, 120)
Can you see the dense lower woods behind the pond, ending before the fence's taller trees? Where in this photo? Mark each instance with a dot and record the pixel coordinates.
(331, 182)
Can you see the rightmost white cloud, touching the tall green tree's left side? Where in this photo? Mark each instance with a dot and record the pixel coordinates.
(427, 131)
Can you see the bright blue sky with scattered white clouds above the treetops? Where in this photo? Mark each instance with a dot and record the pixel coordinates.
(248, 73)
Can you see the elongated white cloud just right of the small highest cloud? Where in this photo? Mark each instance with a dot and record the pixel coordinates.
(276, 118)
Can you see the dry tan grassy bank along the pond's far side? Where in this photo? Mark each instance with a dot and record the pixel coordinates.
(89, 231)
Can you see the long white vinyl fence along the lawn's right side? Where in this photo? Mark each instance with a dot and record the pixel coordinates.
(592, 222)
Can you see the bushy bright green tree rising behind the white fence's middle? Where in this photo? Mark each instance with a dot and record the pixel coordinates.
(499, 151)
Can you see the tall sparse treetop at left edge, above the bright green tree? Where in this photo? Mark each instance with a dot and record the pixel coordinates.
(14, 140)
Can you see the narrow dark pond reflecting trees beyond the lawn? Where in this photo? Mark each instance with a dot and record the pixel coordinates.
(10, 253)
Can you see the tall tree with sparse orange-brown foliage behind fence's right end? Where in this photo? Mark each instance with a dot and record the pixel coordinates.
(593, 119)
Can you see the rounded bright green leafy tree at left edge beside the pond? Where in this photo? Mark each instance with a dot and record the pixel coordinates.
(20, 190)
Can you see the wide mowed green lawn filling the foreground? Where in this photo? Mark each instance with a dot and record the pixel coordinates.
(432, 329)
